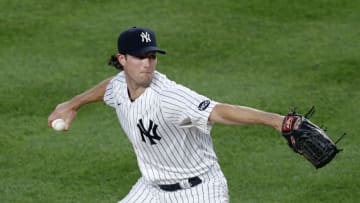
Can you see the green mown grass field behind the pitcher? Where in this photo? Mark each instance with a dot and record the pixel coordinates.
(271, 55)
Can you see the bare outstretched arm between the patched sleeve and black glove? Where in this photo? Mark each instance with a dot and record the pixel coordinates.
(239, 115)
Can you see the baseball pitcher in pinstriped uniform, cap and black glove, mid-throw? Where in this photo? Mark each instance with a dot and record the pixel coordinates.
(169, 126)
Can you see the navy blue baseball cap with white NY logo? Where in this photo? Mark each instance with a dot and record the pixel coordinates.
(138, 41)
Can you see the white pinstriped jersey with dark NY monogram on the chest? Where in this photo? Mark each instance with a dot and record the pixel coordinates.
(167, 126)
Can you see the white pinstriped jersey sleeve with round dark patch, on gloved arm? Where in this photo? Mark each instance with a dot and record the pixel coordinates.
(186, 108)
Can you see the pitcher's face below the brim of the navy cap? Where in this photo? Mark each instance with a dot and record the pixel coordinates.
(139, 70)
